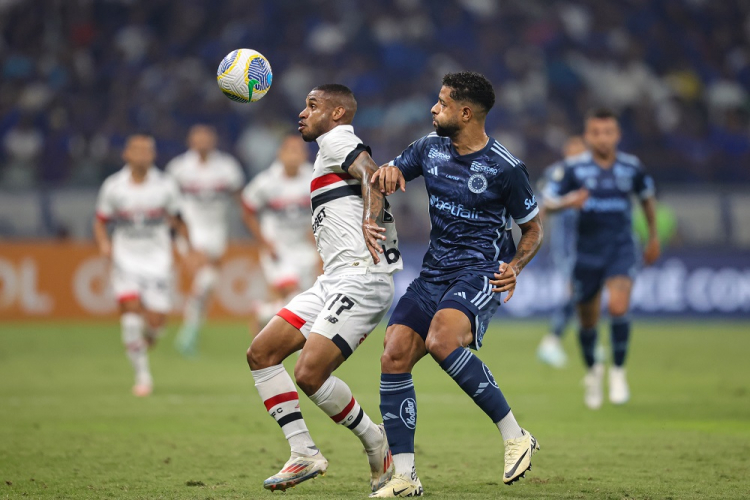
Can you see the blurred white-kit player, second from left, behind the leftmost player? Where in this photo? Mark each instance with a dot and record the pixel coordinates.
(209, 179)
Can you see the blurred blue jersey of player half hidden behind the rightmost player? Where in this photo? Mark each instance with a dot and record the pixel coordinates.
(560, 226)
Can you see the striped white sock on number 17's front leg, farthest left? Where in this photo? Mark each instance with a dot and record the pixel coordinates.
(279, 394)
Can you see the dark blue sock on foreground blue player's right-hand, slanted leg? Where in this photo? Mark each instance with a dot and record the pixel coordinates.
(477, 381)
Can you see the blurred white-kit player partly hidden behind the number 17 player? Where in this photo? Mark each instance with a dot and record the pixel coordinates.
(277, 214)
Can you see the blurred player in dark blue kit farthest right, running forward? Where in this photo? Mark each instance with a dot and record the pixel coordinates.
(606, 254)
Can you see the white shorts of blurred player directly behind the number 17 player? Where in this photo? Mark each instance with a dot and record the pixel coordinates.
(294, 266)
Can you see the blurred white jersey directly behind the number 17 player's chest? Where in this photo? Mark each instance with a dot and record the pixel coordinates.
(282, 204)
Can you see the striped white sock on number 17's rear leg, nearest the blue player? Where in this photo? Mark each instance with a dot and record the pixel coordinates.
(335, 399)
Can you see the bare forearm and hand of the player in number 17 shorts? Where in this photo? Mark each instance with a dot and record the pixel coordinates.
(364, 168)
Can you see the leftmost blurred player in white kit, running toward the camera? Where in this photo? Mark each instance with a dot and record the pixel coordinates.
(143, 204)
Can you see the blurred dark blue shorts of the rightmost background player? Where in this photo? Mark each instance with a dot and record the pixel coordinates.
(590, 274)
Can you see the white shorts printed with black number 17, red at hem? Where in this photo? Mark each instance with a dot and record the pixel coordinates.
(343, 308)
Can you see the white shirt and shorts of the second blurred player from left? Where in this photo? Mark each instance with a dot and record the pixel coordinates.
(207, 188)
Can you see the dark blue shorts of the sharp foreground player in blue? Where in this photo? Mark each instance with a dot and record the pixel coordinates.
(470, 293)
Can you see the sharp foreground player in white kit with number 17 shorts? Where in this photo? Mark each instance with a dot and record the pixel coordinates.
(345, 304)
